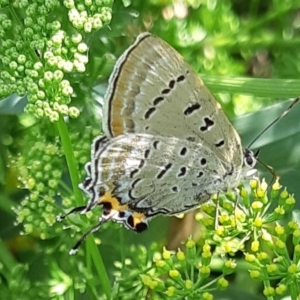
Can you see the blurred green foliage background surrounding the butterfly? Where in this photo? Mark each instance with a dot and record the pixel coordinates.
(247, 53)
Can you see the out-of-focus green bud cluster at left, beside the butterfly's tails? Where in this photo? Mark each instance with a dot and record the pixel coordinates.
(40, 170)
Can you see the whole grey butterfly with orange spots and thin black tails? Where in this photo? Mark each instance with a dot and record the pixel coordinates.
(167, 145)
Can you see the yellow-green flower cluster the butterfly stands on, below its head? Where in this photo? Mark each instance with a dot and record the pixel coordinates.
(250, 215)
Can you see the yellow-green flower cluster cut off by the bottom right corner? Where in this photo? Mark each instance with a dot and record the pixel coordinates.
(271, 260)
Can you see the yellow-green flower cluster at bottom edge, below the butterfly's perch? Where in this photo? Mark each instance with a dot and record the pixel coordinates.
(180, 274)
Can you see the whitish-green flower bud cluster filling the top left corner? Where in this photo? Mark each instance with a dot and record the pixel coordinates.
(39, 54)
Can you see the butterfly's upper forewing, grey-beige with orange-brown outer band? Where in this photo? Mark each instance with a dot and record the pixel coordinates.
(152, 90)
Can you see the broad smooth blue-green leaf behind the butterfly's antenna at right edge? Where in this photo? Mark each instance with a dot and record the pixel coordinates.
(279, 146)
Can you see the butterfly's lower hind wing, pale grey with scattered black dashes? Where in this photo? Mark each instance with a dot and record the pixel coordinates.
(148, 174)
